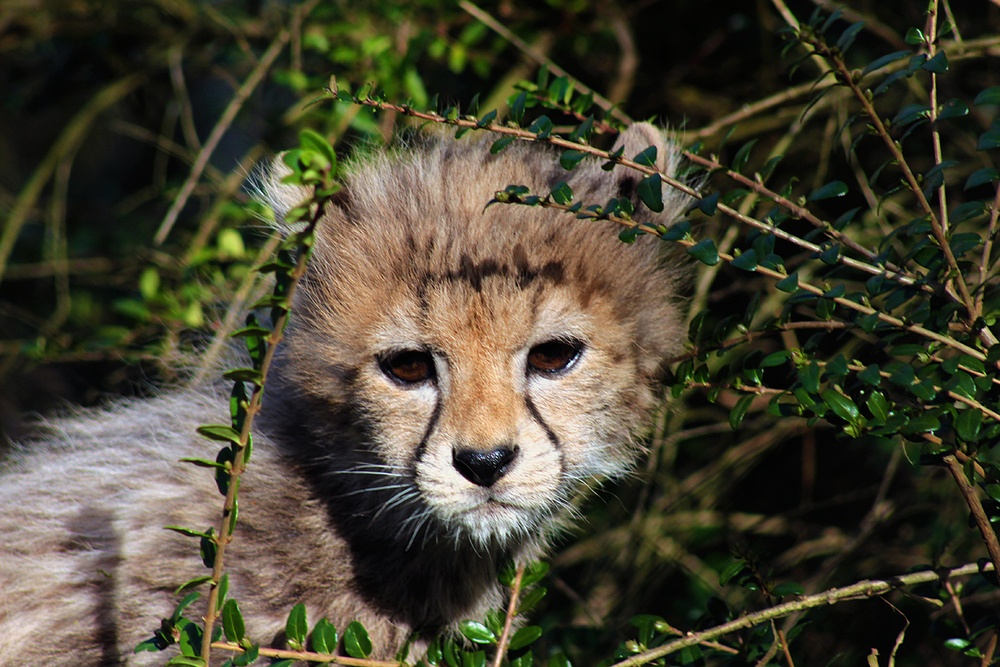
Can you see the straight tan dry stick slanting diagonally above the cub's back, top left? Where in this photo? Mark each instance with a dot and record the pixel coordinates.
(228, 116)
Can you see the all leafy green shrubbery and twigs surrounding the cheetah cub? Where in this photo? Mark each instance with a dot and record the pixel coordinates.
(822, 481)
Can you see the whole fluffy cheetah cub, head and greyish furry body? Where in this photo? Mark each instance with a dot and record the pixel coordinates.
(452, 376)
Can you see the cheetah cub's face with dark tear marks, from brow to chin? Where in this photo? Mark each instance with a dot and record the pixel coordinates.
(500, 396)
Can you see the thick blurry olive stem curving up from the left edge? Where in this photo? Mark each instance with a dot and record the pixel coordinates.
(67, 143)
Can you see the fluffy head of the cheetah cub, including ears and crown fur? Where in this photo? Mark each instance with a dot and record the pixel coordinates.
(496, 359)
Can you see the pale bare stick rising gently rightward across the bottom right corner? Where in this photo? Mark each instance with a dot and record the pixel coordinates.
(860, 590)
